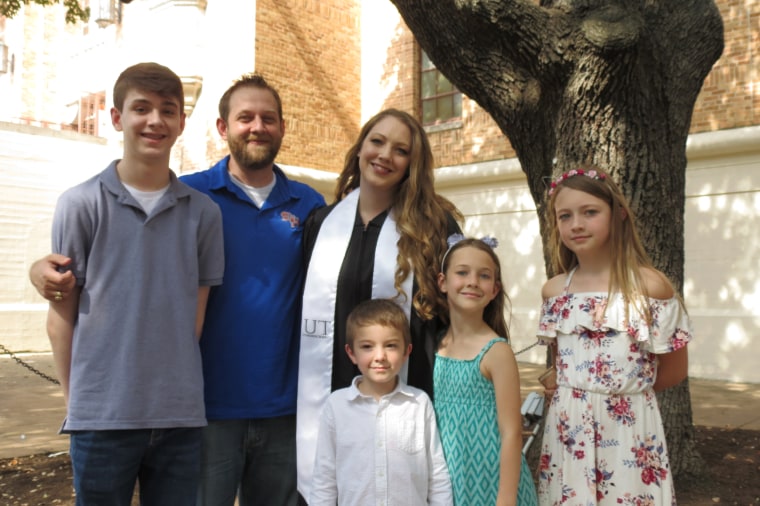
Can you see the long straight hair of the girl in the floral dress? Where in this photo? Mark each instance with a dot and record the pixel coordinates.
(627, 254)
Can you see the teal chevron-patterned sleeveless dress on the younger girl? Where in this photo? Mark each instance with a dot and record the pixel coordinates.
(465, 406)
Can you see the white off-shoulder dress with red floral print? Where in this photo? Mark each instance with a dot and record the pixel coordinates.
(604, 441)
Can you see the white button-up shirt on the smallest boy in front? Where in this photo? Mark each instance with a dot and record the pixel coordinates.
(383, 452)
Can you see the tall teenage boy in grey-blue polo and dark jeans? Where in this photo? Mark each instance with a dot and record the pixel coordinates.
(145, 249)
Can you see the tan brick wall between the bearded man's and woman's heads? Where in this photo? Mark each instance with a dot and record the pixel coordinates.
(310, 50)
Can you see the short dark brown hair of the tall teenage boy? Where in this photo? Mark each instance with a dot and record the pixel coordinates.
(150, 77)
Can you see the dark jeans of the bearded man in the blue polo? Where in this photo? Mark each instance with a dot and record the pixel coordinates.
(254, 459)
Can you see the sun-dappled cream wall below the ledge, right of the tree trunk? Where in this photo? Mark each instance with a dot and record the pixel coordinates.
(722, 275)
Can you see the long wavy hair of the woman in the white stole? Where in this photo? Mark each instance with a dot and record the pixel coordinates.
(422, 216)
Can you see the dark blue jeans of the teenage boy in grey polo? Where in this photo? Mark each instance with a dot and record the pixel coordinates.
(107, 463)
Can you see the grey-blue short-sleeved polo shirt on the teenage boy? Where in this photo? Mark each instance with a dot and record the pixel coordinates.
(135, 358)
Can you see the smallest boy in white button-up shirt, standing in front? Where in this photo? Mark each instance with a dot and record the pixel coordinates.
(378, 439)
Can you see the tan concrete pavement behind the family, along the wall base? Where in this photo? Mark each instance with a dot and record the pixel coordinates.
(31, 408)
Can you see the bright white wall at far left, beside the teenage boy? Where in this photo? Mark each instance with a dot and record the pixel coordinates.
(36, 165)
